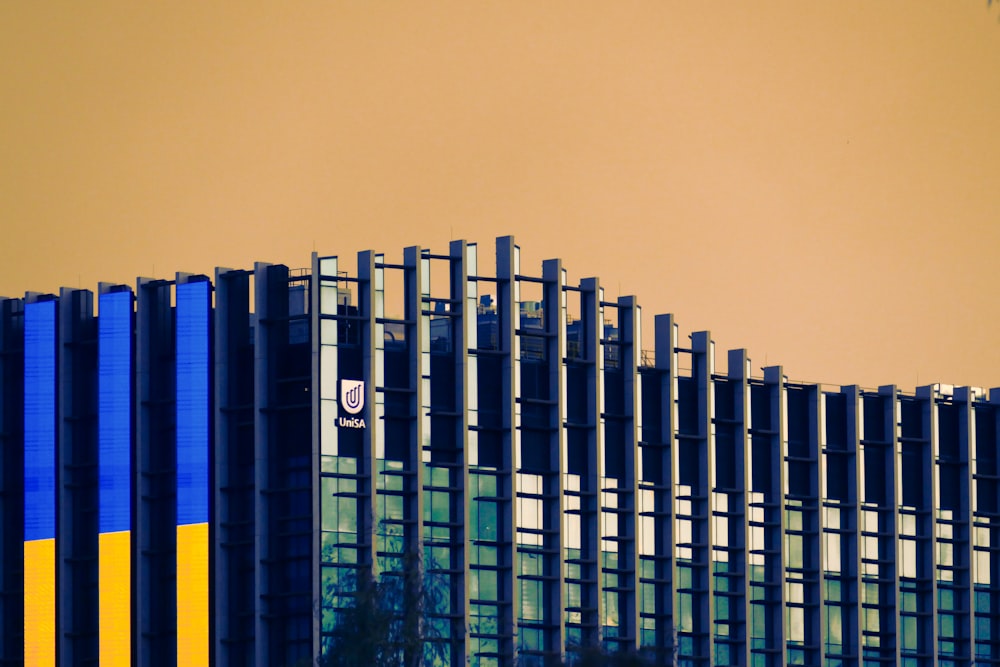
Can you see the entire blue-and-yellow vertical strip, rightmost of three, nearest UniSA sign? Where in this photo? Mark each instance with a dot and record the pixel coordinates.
(193, 436)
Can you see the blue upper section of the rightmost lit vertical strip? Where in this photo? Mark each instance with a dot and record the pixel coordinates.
(193, 401)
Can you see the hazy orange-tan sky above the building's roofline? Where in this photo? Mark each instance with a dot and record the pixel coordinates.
(816, 182)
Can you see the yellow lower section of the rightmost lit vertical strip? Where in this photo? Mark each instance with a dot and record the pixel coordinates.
(192, 594)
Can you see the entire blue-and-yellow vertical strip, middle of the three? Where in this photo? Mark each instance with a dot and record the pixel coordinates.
(114, 439)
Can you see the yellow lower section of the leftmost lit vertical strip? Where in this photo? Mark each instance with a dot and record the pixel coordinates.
(40, 603)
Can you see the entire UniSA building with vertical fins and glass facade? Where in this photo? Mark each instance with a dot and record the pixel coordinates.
(194, 472)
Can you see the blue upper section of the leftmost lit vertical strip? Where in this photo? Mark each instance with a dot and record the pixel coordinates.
(40, 420)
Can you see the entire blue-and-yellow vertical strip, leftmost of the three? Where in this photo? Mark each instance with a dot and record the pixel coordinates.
(40, 482)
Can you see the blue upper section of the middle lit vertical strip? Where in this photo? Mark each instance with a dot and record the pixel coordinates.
(114, 422)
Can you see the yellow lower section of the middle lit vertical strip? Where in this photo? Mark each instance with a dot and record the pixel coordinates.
(115, 608)
